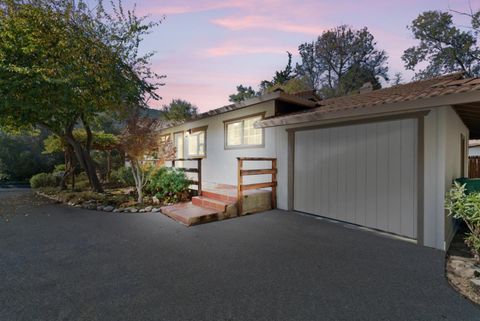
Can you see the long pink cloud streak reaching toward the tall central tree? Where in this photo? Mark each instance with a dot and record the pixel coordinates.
(264, 22)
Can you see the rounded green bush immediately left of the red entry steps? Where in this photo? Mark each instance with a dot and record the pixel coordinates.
(169, 185)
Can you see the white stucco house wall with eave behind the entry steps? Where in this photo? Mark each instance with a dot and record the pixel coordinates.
(220, 164)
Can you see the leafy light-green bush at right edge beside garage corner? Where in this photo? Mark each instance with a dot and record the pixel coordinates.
(466, 207)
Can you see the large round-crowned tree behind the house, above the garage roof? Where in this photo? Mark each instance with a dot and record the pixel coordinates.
(341, 60)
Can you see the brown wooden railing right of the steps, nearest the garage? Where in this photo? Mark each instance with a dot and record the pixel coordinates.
(241, 187)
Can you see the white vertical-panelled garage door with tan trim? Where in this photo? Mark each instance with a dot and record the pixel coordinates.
(363, 174)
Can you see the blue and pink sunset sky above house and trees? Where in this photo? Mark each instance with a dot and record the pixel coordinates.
(208, 47)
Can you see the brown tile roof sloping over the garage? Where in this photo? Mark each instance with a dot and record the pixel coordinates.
(438, 86)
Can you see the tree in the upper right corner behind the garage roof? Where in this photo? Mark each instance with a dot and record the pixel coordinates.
(443, 46)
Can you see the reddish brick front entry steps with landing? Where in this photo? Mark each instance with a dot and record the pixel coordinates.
(217, 202)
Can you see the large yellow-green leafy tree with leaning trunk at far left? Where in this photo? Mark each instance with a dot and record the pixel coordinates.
(61, 65)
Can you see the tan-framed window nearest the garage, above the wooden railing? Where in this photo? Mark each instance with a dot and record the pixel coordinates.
(242, 133)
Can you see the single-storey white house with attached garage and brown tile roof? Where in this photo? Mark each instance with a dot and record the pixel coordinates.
(383, 159)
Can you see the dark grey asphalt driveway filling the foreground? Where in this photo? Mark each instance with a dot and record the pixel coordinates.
(62, 263)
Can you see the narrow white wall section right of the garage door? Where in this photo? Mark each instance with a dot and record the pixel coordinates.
(443, 129)
